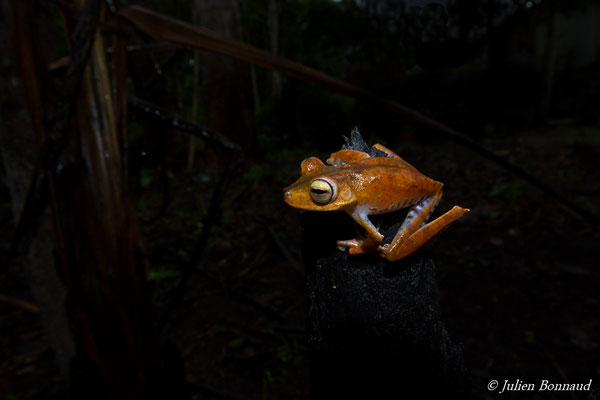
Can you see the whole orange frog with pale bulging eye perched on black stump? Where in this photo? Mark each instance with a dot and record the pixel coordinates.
(363, 184)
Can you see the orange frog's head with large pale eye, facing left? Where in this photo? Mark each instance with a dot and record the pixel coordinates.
(318, 188)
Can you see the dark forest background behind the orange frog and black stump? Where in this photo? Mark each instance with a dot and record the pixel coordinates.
(146, 250)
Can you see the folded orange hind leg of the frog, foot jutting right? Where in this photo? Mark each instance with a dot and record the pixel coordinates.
(415, 232)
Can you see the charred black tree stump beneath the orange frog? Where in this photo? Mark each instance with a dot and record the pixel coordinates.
(374, 327)
